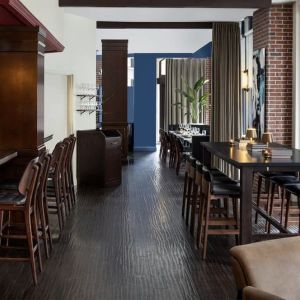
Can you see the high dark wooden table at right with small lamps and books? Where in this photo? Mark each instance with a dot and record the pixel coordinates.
(249, 163)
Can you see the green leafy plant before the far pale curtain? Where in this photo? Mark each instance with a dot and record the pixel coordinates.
(196, 98)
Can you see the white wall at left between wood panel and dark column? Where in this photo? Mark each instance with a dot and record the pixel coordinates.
(78, 35)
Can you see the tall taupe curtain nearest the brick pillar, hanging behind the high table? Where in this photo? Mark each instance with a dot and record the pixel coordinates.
(226, 90)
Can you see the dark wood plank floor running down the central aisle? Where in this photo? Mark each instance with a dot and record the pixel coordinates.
(128, 243)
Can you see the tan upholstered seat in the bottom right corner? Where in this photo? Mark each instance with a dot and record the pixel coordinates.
(271, 268)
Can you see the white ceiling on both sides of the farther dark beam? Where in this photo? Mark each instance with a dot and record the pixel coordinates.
(160, 40)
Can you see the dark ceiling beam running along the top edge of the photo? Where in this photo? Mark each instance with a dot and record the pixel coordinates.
(169, 3)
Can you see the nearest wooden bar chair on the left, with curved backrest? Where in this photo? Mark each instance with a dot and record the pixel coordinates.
(24, 202)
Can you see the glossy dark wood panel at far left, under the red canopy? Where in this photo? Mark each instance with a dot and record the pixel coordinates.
(22, 89)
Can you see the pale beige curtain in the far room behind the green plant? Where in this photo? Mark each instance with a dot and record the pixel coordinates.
(177, 70)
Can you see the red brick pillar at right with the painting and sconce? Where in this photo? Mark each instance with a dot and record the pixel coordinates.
(273, 30)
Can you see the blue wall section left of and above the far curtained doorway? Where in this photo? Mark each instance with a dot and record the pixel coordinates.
(145, 98)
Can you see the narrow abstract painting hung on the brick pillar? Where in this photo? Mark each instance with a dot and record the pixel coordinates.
(258, 99)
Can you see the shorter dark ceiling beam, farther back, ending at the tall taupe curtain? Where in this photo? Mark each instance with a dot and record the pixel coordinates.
(154, 25)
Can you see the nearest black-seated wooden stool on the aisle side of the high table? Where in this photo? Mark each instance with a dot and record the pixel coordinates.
(217, 217)
